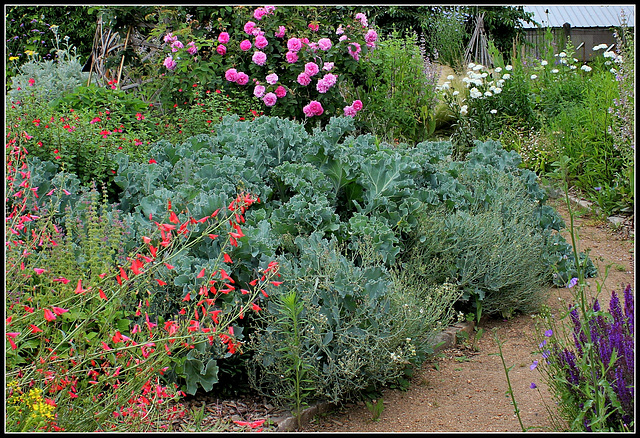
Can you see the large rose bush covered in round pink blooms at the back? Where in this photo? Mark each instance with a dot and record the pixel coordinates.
(291, 68)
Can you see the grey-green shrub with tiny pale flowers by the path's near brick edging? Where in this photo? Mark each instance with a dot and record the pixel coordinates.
(364, 324)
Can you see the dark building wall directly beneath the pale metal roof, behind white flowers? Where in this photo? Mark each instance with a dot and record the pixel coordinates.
(534, 42)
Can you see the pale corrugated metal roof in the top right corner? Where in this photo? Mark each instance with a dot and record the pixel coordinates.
(580, 15)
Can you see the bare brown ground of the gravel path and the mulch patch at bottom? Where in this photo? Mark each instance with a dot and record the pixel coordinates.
(461, 389)
